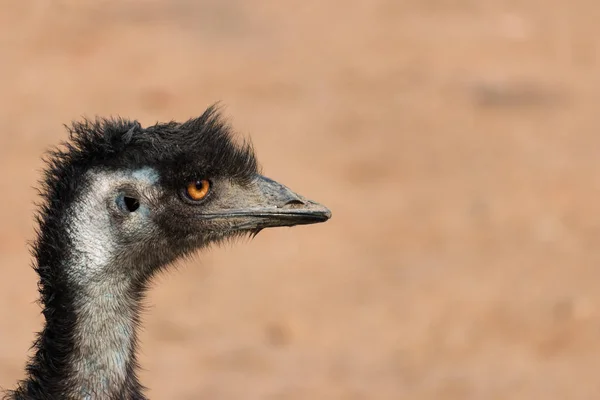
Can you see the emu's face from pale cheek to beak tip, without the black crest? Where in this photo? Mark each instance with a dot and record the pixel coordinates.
(138, 219)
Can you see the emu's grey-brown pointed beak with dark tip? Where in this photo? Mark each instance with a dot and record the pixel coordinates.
(266, 204)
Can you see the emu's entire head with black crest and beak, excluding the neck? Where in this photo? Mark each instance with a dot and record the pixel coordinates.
(134, 199)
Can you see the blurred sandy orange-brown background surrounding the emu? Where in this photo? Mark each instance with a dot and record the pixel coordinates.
(457, 143)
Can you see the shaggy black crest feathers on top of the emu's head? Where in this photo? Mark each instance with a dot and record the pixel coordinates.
(200, 145)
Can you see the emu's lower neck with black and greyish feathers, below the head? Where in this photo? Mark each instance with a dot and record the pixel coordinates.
(87, 347)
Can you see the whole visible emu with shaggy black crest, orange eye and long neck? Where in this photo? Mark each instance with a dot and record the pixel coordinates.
(120, 203)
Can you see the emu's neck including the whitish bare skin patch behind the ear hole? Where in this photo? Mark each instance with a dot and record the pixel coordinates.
(91, 295)
